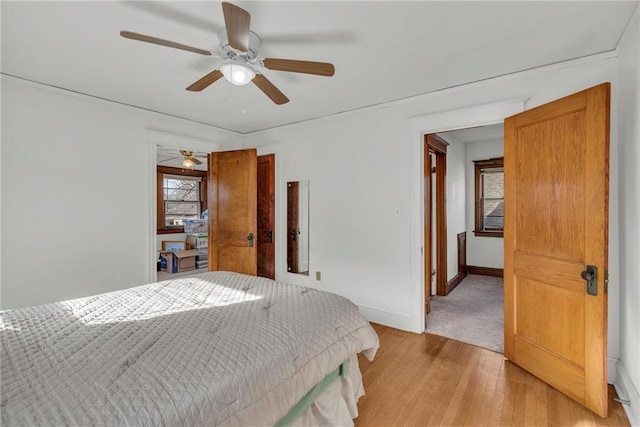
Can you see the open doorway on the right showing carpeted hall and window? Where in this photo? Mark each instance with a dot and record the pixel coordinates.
(468, 309)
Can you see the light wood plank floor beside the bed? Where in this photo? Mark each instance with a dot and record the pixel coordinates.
(427, 380)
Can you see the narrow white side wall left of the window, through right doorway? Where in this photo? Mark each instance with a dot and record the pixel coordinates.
(456, 203)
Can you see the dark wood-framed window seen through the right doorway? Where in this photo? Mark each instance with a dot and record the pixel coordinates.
(489, 177)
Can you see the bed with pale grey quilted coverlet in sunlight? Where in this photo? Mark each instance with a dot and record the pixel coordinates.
(216, 349)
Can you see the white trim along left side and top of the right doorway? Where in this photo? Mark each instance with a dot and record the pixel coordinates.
(480, 115)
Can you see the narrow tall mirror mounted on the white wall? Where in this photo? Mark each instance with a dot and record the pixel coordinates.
(298, 227)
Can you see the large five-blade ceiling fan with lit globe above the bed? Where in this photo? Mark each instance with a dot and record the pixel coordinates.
(239, 52)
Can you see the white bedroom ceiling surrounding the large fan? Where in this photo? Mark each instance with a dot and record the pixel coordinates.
(382, 51)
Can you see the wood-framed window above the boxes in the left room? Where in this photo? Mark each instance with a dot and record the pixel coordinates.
(181, 195)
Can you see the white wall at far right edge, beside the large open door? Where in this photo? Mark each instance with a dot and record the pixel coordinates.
(628, 369)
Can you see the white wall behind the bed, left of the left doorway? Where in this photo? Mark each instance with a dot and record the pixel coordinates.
(77, 180)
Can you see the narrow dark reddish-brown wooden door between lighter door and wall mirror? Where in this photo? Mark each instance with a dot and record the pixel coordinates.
(266, 217)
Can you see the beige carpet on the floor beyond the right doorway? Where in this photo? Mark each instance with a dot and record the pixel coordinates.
(471, 313)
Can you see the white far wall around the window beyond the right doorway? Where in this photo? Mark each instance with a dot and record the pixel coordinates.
(481, 251)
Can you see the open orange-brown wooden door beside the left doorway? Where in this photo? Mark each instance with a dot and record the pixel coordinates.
(232, 211)
